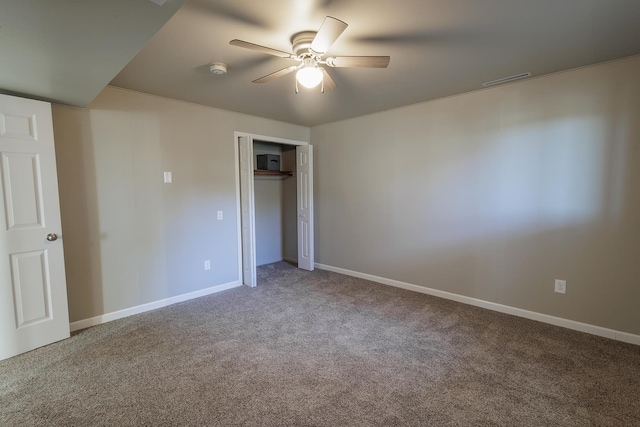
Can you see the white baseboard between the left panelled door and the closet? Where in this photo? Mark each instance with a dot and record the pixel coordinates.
(108, 317)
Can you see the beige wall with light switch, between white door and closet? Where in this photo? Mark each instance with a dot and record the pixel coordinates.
(130, 239)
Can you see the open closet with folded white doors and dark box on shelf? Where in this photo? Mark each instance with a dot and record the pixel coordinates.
(275, 203)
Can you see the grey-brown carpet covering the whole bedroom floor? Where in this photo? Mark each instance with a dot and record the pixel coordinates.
(322, 349)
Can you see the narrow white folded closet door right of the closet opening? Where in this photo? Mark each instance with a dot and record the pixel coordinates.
(304, 168)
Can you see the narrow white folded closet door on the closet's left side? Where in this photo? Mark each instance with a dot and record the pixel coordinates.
(247, 214)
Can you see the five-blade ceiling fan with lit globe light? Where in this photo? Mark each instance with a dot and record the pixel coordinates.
(309, 47)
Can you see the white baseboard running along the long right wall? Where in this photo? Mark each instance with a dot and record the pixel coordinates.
(545, 318)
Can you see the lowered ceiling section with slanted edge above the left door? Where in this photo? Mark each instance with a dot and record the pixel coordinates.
(67, 51)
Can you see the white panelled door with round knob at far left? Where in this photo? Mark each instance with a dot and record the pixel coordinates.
(33, 293)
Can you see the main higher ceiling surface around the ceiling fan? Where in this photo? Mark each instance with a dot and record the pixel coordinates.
(437, 48)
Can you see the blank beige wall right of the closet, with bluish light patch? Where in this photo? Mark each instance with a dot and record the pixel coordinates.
(496, 193)
